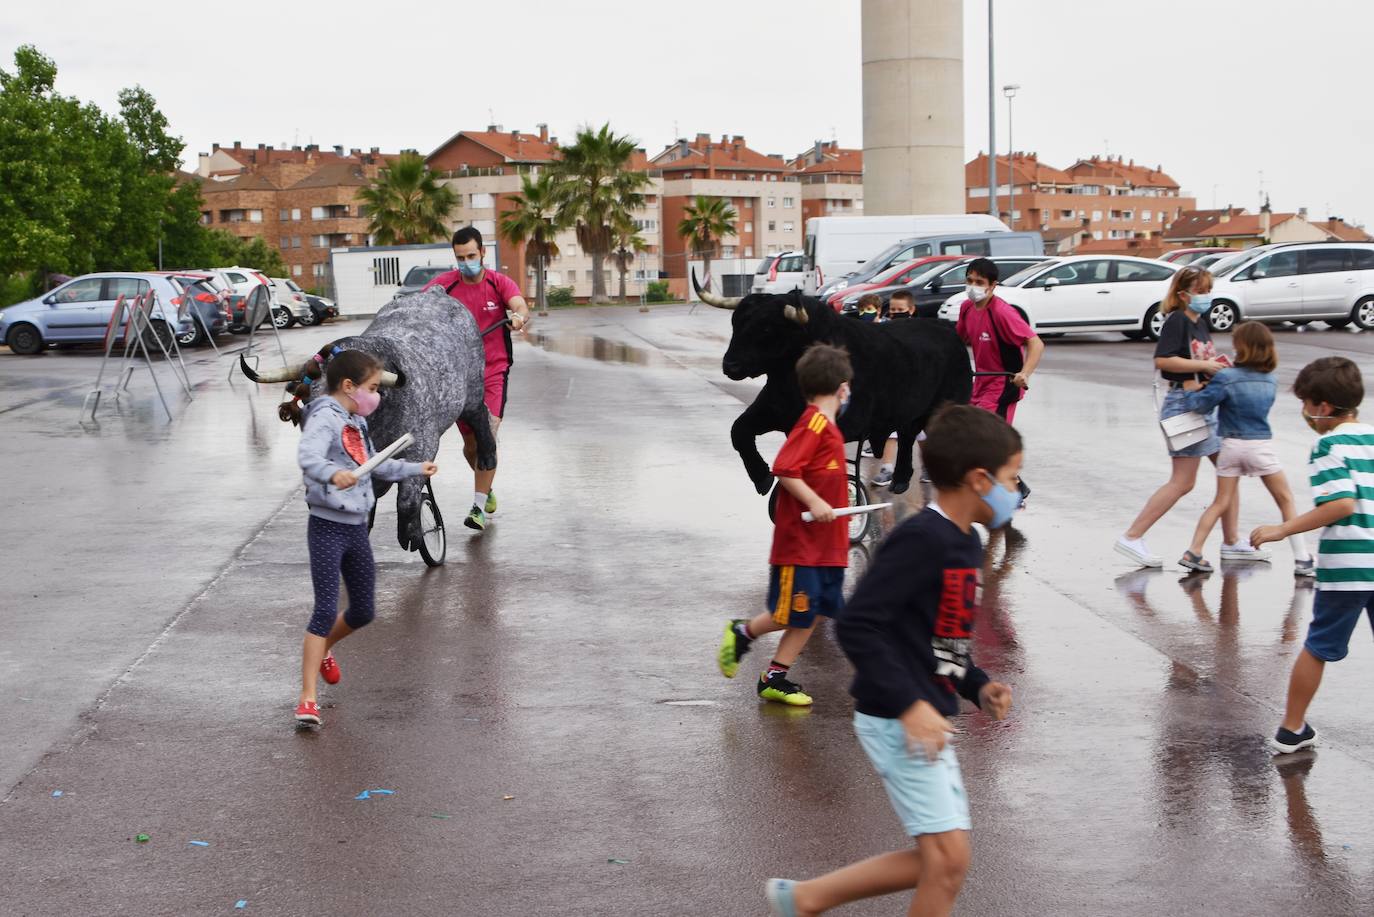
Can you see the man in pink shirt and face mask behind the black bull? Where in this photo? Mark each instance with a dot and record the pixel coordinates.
(1002, 342)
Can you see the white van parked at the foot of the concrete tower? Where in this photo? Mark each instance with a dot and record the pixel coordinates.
(837, 245)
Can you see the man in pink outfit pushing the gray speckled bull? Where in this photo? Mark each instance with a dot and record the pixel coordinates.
(488, 296)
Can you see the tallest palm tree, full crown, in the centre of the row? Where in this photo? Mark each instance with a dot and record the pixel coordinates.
(596, 184)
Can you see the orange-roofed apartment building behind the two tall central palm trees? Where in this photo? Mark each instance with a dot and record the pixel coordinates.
(486, 170)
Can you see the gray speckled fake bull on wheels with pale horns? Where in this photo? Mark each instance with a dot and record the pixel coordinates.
(433, 358)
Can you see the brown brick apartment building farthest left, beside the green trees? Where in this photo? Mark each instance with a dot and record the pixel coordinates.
(304, 201)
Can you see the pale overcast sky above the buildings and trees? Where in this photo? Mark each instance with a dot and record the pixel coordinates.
(1217, 93)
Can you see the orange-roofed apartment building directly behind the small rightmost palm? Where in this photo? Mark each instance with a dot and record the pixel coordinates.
(762, 189)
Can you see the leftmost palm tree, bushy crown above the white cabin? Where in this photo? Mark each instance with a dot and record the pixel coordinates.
(406, 204)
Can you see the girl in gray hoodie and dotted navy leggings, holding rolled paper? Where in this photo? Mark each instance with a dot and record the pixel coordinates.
(335, 443)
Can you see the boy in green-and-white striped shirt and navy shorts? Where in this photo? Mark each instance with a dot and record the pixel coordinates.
(1342, 472)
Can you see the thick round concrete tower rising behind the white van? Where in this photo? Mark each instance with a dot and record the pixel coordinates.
(913, 107)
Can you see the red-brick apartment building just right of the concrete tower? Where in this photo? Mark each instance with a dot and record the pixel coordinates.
(1099, 199)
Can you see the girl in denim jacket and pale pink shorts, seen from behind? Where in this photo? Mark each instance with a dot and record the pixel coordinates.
(1244, 397)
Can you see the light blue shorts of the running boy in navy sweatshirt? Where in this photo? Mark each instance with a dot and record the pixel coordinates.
(928, 797)
